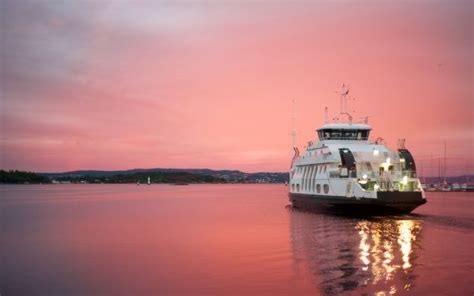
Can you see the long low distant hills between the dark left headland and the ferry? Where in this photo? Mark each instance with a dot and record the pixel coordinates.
(169, 175)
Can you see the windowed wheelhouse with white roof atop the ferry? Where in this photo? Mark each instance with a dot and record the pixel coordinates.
(344, 131)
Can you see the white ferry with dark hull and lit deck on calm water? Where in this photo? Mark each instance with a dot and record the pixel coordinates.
(345, 171)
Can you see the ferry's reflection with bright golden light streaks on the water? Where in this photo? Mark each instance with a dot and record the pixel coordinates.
(344, 255)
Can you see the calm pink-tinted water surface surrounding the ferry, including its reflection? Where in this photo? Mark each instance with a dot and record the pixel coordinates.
(225, 240)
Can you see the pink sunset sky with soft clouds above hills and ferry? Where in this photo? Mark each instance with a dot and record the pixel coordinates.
(118, 85)
